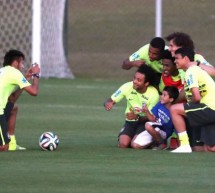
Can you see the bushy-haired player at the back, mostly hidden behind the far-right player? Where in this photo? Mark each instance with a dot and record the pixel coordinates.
(179, 39)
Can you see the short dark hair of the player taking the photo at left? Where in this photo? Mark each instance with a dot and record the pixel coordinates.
(11, 56)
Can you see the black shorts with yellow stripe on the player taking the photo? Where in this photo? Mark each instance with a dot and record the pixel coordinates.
(4, 136)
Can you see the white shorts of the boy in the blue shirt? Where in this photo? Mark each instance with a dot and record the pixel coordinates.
(145, 138)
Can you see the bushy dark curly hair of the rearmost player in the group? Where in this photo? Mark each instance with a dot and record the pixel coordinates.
(181, 39)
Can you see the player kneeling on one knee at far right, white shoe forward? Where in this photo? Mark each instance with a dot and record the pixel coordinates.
(200, 92)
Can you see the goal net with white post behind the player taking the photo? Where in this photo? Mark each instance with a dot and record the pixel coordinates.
(36, 27)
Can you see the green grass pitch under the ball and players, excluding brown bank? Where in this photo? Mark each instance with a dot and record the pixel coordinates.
(88, 159)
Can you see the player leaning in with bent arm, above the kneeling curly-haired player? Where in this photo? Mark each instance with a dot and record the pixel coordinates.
(149, 54)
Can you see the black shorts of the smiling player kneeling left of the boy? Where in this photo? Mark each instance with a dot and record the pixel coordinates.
(132, 128)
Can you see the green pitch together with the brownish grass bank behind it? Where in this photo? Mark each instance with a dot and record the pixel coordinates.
(101, 33)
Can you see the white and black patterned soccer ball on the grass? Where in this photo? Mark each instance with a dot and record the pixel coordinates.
(48, 141)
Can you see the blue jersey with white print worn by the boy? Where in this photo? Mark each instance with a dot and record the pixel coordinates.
(163, 117)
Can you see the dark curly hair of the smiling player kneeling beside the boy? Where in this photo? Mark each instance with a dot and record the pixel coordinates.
(148, 72)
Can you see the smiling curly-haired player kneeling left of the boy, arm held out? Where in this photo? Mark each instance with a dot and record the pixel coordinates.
(138, 92)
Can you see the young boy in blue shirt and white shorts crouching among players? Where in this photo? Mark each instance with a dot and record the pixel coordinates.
(160, 126)
